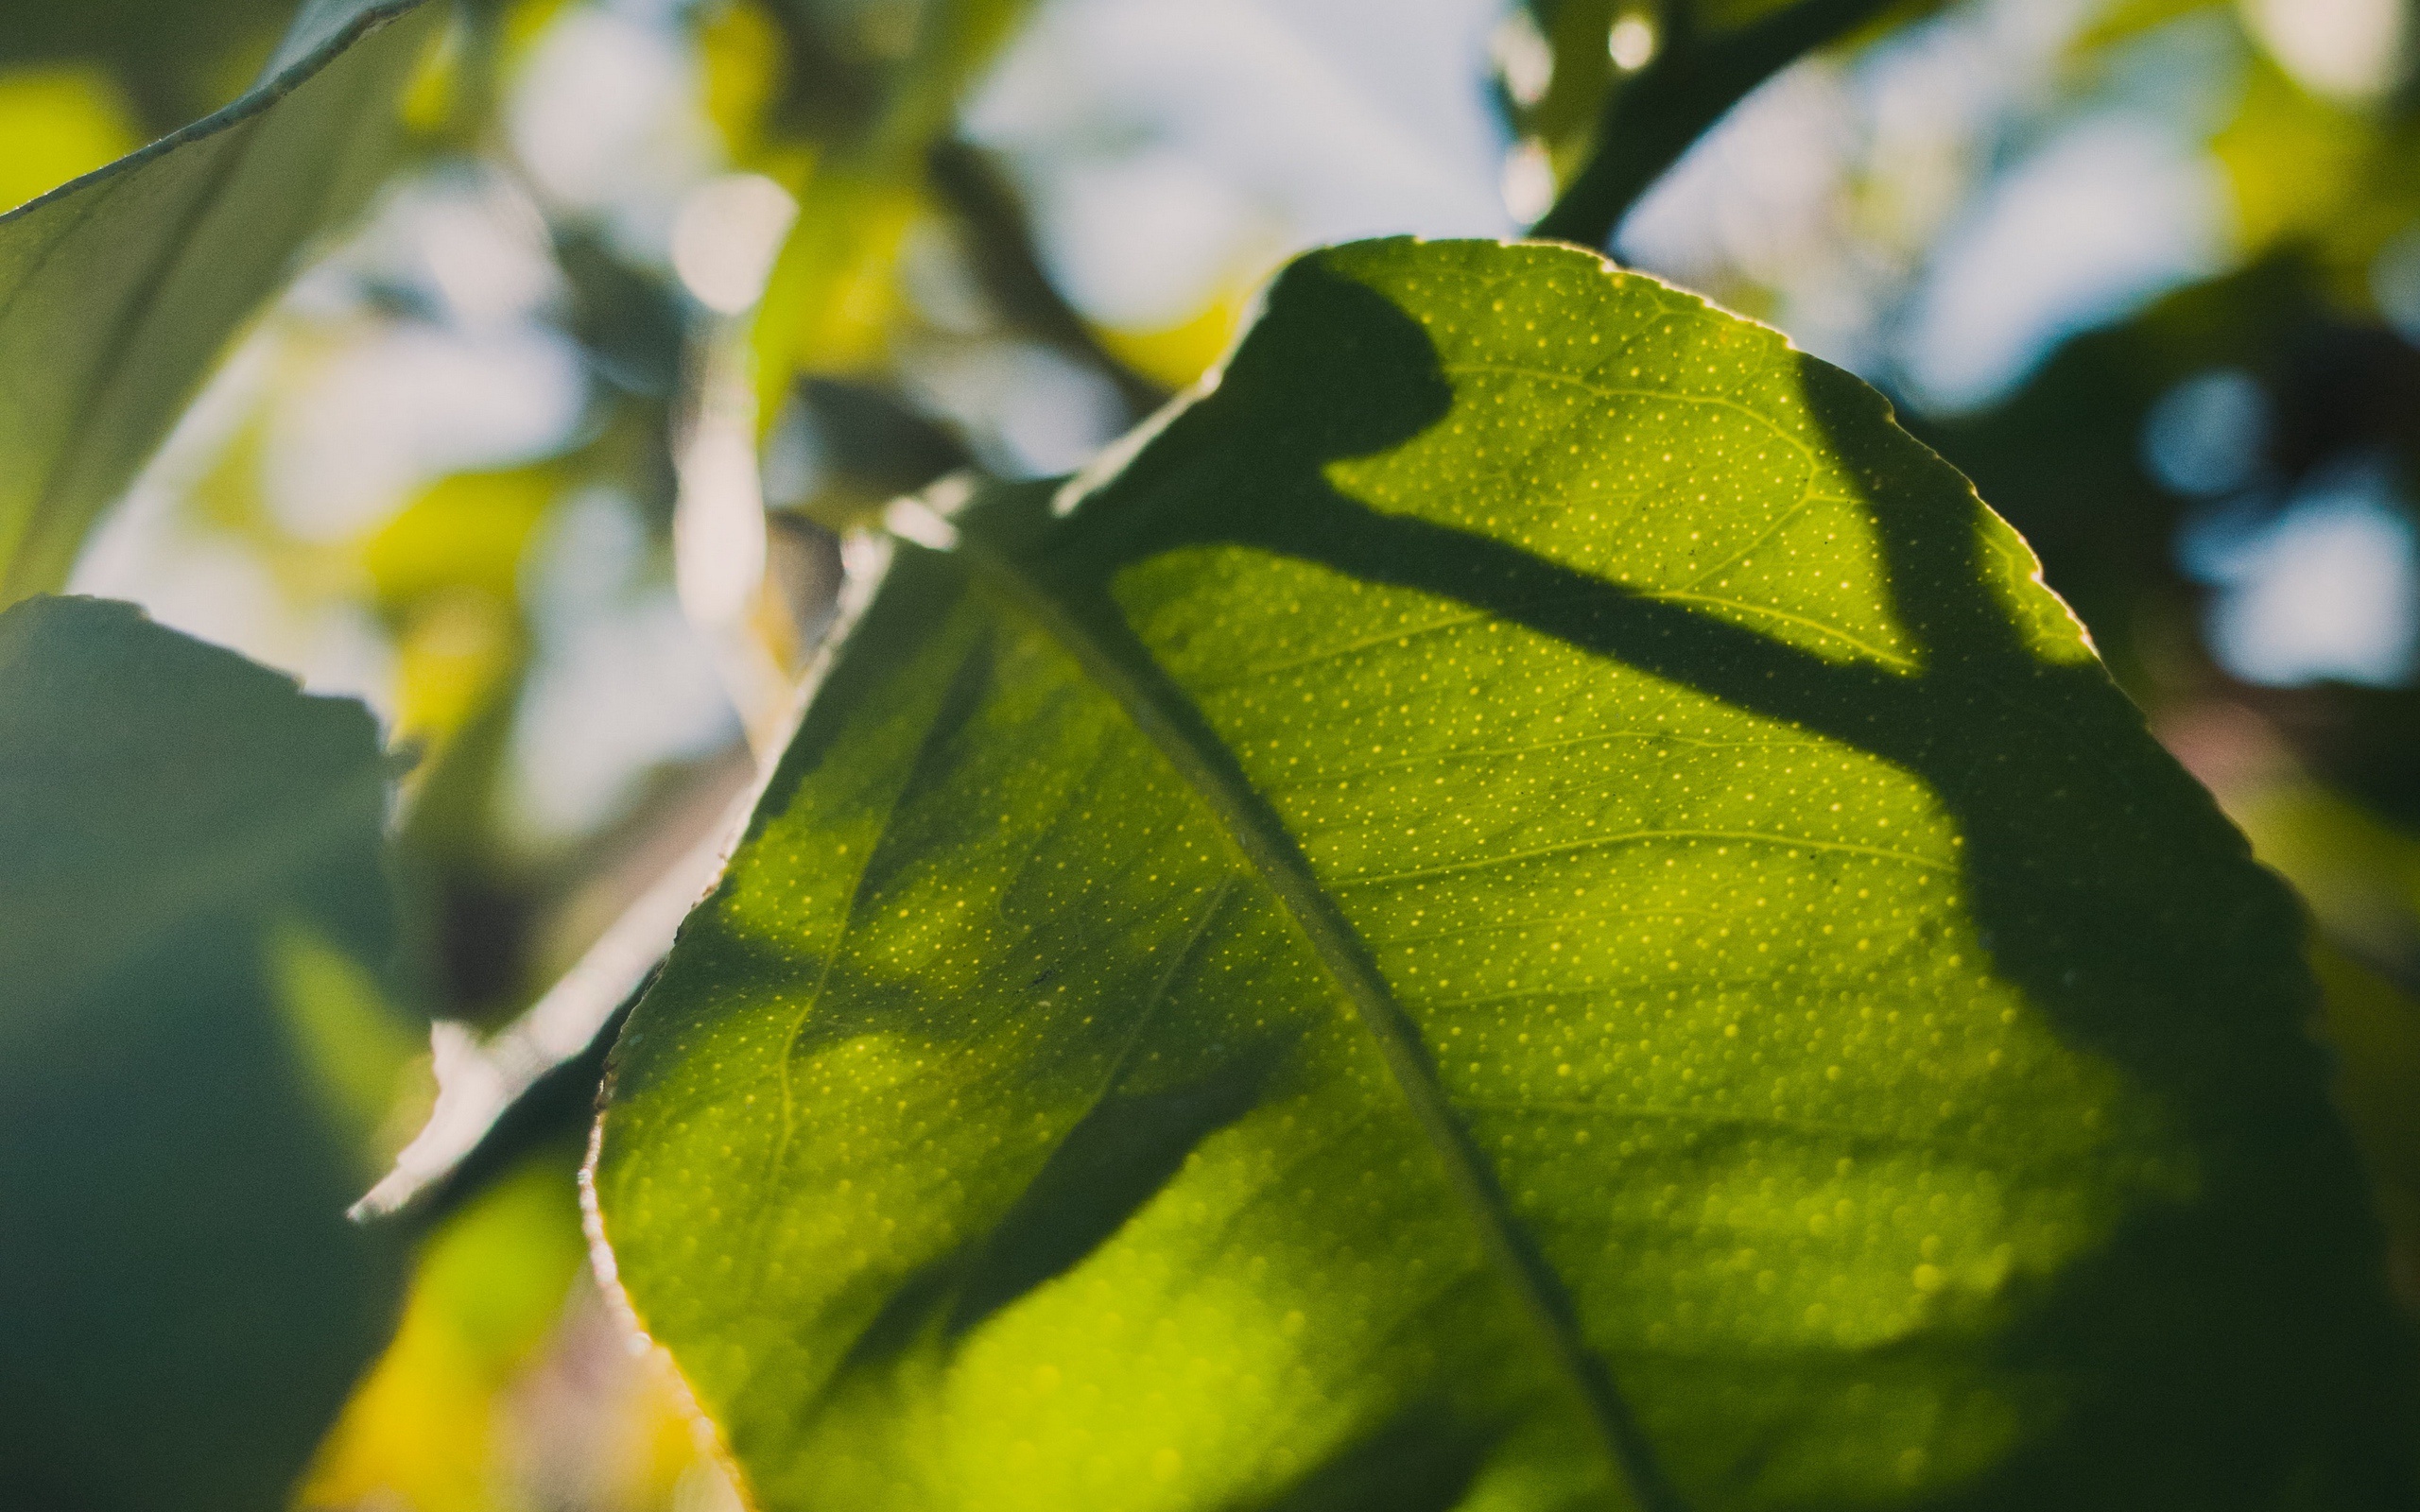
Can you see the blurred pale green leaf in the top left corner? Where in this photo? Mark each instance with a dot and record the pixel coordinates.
(120, 289)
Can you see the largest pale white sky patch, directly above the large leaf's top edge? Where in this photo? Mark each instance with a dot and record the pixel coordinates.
(1180, 144)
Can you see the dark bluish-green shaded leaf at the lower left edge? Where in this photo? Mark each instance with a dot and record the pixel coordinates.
(190, 904)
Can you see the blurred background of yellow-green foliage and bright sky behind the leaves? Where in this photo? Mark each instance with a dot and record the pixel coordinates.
(551, 456)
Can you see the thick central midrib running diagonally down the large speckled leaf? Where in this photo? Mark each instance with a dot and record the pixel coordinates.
(1269, 850)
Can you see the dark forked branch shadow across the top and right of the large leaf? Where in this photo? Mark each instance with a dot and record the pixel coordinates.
(2228, 1354)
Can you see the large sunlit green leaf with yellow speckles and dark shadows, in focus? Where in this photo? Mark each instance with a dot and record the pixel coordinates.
(1526, 906)
